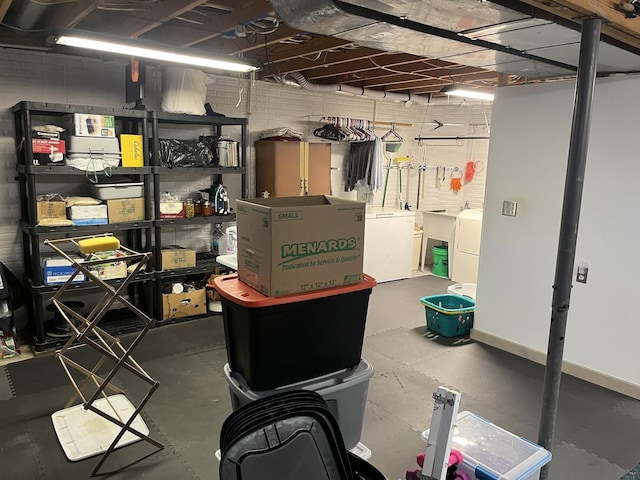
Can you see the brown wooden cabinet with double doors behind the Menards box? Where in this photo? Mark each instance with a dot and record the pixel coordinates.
(288, 169)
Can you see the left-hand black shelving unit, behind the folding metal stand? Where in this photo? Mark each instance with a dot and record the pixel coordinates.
(138, 234)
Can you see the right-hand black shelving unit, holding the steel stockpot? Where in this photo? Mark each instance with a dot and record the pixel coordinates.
(205, 261)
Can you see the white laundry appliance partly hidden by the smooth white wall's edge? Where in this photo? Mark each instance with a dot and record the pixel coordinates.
(467, 246)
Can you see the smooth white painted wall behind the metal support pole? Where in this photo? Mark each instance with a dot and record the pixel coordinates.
(527, 163)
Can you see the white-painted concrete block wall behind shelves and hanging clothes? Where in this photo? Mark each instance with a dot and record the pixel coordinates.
(63, 79)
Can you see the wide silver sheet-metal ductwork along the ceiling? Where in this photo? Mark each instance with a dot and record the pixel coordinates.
(479, 34)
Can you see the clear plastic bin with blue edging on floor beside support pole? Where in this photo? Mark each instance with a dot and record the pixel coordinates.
(492, 453)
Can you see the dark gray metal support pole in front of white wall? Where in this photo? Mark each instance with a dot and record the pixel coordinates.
(574, 182)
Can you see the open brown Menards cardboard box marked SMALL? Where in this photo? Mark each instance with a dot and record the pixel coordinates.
(296, 244)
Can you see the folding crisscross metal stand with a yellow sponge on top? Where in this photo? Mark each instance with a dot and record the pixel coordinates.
(86, 330)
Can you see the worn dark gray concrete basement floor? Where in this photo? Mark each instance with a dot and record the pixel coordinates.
(597, 435)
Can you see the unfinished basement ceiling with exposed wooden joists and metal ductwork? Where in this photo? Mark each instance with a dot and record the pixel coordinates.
(400, 46)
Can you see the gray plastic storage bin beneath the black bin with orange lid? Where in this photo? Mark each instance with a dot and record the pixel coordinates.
(345, 393)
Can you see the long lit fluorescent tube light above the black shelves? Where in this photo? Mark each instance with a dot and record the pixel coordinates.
(141, 49)
